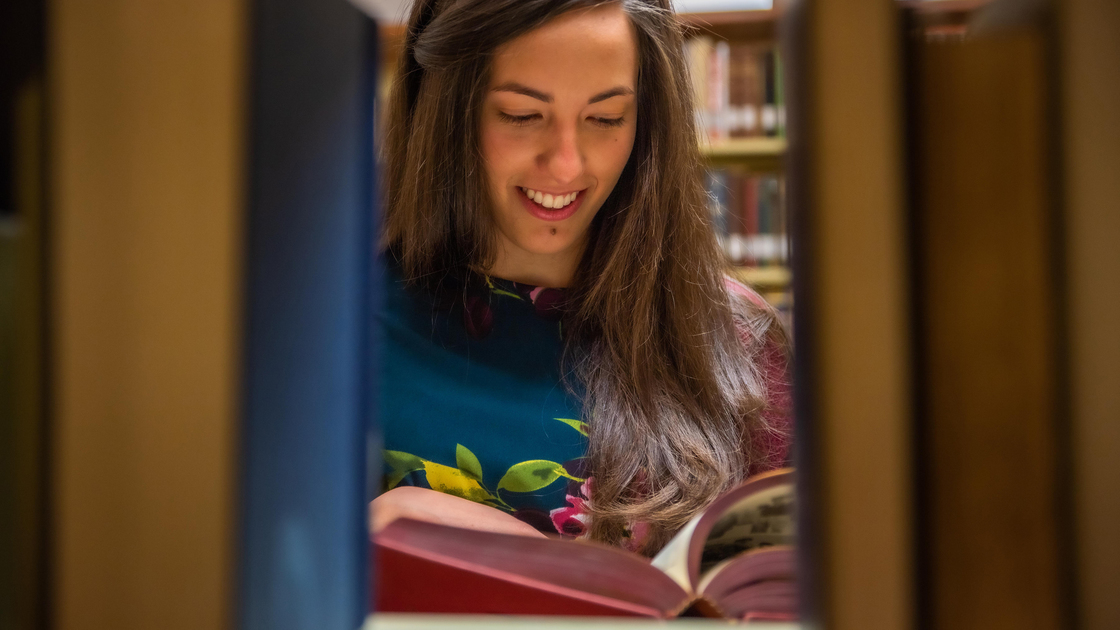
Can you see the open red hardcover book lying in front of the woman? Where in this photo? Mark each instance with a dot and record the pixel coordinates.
(734, 560)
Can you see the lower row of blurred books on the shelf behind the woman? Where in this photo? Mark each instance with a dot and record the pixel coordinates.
(749, 216)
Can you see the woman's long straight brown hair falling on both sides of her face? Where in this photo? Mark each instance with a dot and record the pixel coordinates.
(673, 395)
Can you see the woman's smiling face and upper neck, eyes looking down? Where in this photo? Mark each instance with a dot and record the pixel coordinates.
(557, 129)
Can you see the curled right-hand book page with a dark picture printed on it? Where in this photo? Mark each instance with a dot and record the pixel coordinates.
(762, 520)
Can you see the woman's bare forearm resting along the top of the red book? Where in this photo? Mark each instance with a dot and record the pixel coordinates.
(432, 506)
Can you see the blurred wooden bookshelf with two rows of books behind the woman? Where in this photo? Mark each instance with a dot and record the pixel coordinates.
(739, 92)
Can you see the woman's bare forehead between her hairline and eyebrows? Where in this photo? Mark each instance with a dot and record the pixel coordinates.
(584, 49)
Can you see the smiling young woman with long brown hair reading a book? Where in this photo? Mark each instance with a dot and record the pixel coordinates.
(563, 351)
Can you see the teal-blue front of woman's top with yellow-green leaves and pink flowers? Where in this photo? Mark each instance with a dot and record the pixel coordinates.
(473, 404)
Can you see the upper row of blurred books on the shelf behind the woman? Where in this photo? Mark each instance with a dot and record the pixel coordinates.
(738, 88)
